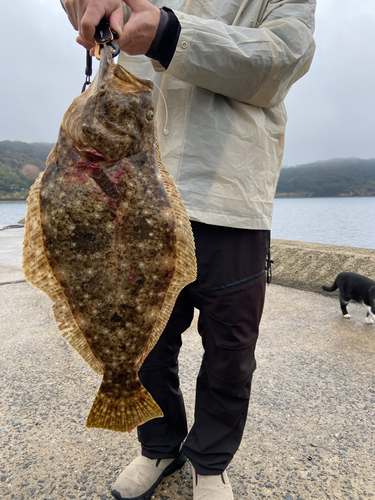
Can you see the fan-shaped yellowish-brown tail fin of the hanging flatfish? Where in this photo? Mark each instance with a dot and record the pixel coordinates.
(124, 413)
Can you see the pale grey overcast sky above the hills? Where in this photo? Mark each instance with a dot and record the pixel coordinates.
(331, 109)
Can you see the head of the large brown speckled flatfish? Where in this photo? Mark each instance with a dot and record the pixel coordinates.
(116, 115)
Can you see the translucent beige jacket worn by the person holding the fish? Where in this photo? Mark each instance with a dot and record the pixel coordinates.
(221, 127)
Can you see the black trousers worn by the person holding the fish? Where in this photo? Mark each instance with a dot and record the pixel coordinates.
(229, 294)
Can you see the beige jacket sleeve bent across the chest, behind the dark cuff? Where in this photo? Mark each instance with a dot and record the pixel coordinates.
(255, 65)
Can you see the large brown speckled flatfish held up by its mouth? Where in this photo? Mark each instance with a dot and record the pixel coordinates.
(108, 239)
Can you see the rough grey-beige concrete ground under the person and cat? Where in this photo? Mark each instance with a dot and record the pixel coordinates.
(310, 431)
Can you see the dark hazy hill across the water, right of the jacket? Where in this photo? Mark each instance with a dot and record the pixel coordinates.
(329, 178)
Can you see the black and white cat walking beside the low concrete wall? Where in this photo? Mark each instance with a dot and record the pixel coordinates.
(355, 287)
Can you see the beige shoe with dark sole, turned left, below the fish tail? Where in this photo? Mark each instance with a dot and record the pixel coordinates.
(140, 478)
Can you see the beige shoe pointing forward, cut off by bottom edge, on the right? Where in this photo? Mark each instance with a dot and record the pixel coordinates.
(211, 487)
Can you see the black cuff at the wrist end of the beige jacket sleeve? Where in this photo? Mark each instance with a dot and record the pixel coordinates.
(164, 45)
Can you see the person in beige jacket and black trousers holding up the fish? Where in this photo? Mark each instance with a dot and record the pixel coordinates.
(222, 71)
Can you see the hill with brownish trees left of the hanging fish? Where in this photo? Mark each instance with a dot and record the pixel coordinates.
(20, 165)
